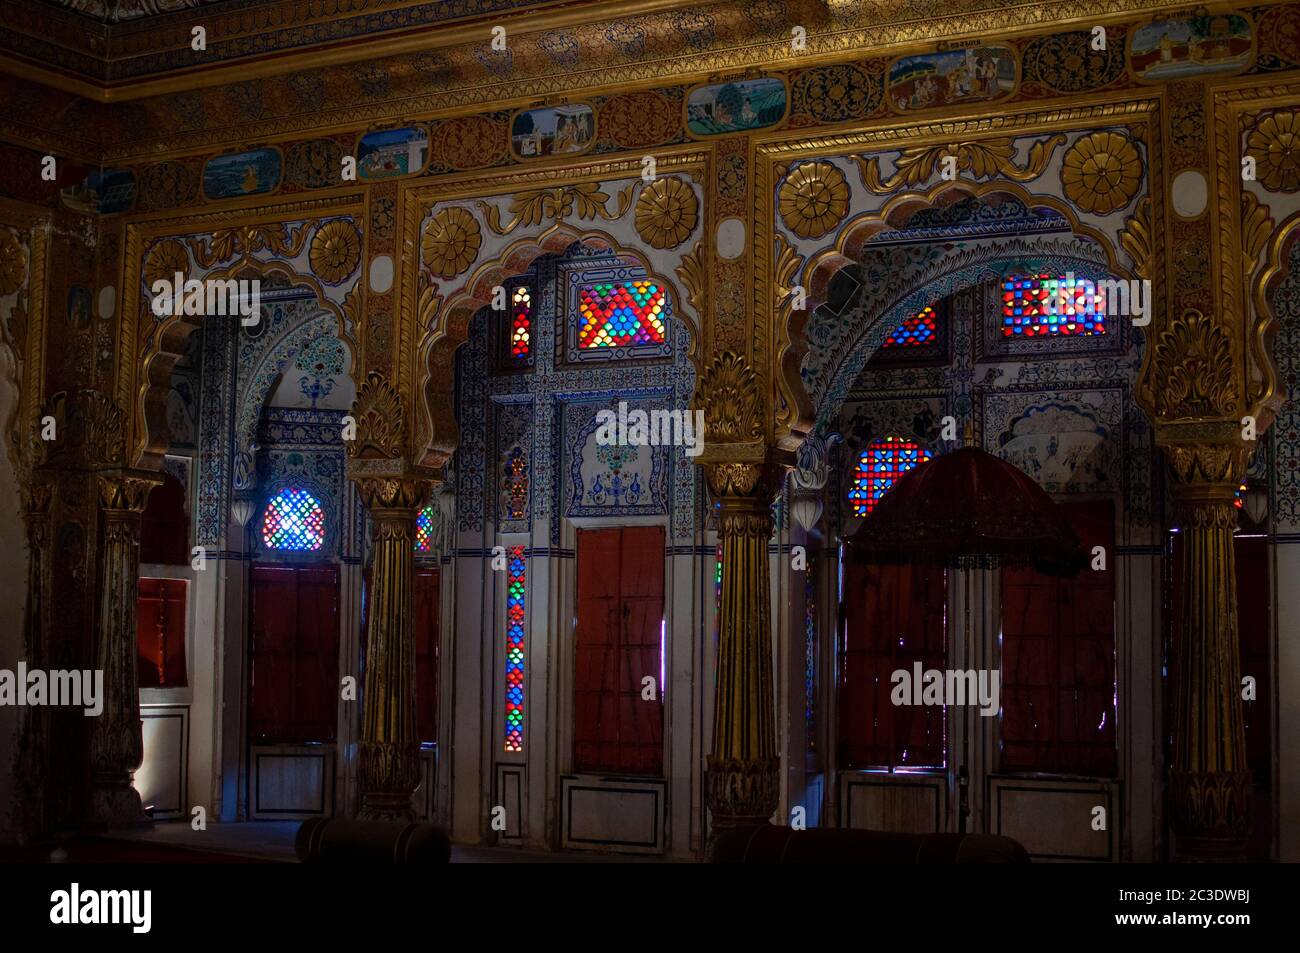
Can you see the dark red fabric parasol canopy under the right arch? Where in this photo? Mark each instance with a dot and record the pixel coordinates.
(969, 509)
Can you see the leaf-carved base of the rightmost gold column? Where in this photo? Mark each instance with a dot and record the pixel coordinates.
(1211, 815)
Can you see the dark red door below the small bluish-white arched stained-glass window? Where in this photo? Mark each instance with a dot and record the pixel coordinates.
(296, 685)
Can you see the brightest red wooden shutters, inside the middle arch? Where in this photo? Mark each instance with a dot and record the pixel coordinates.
(618, 646)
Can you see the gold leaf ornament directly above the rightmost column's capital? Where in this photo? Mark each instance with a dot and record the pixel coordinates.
(1194, 369)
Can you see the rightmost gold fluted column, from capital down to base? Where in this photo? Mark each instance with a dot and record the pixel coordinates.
(1210, 782)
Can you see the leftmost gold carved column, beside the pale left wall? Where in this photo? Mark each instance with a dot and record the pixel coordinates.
(116, 740)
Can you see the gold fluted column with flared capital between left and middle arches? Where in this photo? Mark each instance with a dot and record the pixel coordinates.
(391, 748)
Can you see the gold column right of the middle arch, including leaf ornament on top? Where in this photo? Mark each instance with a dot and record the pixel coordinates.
(743, 785)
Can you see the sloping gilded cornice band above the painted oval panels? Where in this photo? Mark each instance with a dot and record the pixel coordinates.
(443, 73)
